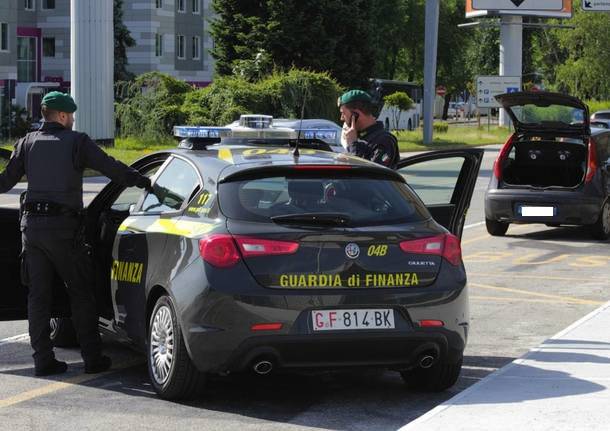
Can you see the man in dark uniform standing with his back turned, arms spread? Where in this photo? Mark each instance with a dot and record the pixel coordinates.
(53, 158)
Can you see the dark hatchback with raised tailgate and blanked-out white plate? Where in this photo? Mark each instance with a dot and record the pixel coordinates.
(554, 169)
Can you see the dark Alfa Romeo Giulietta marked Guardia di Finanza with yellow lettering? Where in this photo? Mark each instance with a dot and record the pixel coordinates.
(252, 258)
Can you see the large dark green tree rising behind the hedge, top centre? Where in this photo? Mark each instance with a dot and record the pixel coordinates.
(295, 34)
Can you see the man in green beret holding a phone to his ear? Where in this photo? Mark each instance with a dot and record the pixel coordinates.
(363, 135)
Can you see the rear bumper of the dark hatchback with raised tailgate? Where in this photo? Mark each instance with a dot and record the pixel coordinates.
(569, 207)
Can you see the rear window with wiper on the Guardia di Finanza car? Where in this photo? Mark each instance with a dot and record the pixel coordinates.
(364, 201)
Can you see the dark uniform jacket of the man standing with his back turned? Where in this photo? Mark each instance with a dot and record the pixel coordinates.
(53, 158)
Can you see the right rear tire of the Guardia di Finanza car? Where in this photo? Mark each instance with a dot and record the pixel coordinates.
(440, 376)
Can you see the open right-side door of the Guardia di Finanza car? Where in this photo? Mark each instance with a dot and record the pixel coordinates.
(444, 181)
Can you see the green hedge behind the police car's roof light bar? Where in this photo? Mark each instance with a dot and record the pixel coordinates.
(155, 102)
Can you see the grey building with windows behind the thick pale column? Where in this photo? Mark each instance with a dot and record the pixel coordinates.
(171, 37)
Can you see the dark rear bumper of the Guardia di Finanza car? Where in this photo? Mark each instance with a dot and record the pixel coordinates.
(226, 343)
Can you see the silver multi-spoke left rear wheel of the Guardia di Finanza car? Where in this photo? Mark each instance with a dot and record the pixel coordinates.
(172, 373)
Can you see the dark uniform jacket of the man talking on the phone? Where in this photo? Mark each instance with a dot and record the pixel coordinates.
(378, 145)
